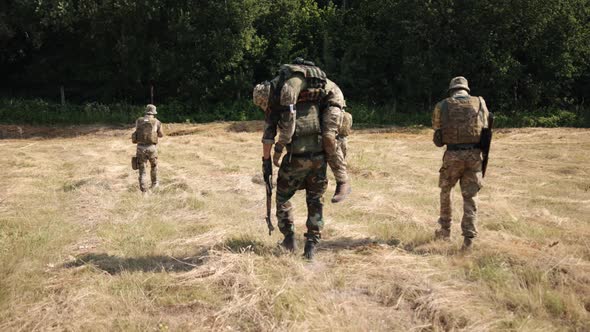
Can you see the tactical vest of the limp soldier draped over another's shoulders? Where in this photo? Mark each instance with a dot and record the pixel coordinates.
(315, 80)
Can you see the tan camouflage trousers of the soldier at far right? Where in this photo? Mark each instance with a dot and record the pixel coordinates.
(463, 167)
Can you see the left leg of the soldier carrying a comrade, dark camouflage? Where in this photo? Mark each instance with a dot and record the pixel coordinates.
(291, 176)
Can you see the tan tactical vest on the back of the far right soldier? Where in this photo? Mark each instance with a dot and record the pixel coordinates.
(461, 121)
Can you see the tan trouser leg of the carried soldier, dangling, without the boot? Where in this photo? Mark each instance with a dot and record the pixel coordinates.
(334, 144)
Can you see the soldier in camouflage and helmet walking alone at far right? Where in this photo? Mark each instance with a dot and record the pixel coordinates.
(460, 122)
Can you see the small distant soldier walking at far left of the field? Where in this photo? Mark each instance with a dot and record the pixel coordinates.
(148, 130)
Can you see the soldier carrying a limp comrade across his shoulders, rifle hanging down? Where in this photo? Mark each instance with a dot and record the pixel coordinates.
(304, 166)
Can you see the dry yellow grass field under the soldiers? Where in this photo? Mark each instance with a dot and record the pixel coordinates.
(82, 250)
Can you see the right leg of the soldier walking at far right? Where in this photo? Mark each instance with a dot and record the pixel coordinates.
(471, 183)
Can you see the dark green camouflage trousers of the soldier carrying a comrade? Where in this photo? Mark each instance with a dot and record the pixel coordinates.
(302, 173)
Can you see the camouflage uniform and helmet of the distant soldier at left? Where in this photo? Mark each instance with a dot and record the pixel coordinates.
(148, 152)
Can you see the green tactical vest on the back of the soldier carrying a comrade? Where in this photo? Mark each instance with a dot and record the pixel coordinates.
(308, 130)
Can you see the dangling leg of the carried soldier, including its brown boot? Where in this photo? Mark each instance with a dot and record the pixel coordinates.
(332, 120)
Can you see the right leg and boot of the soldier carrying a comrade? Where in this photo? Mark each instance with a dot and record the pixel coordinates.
(315, 187)
